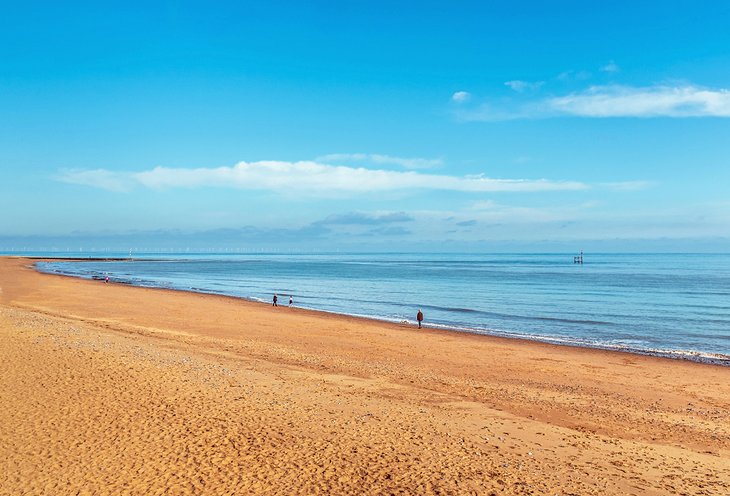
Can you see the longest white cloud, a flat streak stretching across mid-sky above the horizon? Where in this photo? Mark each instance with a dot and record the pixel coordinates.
(310, 178)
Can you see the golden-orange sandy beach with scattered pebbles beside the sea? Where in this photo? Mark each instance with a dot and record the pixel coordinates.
(110, 389)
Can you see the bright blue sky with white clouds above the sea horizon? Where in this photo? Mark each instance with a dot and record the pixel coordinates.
(384, 126)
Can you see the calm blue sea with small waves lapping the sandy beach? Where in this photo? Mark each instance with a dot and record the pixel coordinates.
(675, 305)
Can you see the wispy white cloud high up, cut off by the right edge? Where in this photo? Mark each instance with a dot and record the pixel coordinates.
(612, 101)
